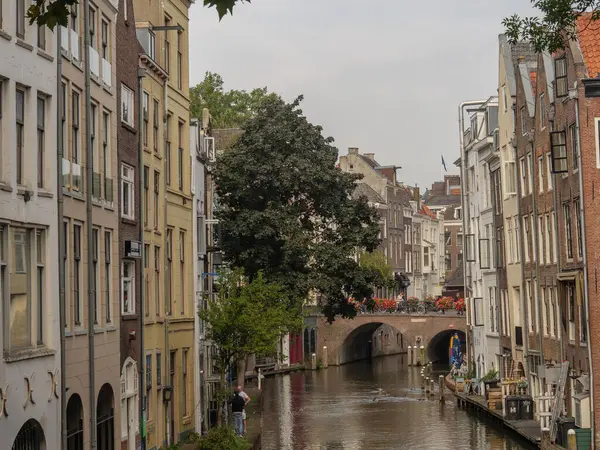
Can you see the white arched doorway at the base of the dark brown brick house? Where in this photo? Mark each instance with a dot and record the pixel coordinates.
(129, 402)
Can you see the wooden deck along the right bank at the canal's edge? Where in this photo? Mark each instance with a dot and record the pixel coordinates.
(528, 430)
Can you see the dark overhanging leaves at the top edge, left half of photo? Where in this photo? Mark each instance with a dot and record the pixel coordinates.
(53, 12)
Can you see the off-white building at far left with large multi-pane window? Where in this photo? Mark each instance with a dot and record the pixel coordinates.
(30, 367)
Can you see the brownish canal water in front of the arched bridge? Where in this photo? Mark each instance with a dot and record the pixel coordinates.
(369, 405)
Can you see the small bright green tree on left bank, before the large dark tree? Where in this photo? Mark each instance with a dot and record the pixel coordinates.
(246, 318)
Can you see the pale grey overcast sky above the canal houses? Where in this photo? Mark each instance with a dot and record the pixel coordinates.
(382, 75)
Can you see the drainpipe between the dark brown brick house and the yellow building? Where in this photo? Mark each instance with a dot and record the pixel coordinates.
(142, 378)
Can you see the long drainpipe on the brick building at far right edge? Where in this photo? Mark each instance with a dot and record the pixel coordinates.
(585, 272)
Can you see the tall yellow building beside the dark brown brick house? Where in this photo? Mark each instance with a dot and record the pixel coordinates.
(162, 29)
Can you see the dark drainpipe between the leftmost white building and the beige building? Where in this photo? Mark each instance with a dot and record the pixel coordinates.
(61, 242)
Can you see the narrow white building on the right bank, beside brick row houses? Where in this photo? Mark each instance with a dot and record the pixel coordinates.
(478, 222)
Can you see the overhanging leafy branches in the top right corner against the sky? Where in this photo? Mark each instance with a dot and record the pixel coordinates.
(555, 26)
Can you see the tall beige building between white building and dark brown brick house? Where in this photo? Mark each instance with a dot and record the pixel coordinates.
(92, 373)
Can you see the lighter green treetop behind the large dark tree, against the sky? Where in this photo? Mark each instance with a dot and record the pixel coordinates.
(229, 109)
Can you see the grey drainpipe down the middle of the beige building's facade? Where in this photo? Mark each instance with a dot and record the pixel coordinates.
(89, 157)
